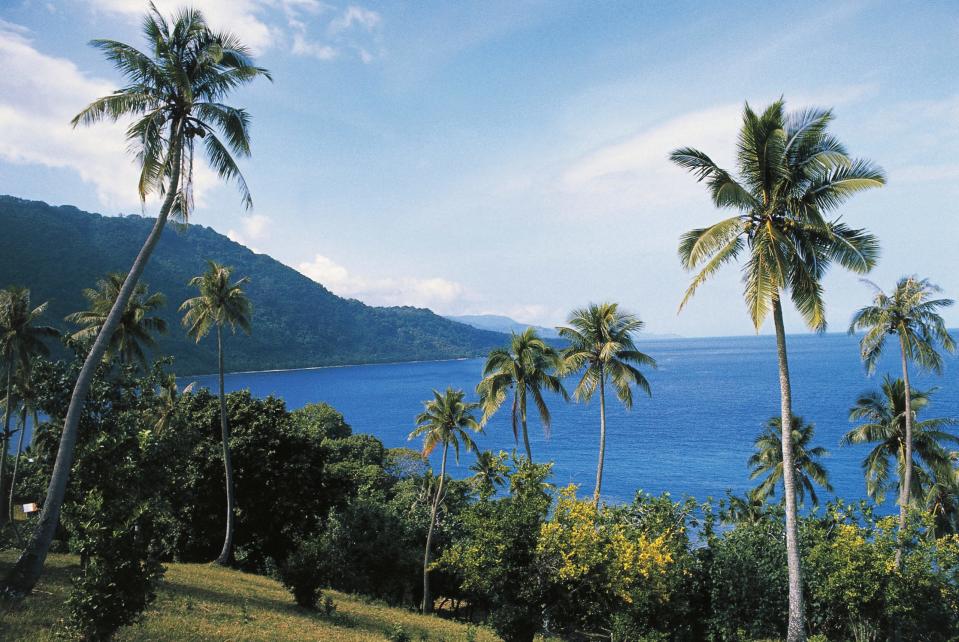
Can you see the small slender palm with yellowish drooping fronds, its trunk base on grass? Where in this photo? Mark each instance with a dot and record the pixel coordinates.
(447, 419)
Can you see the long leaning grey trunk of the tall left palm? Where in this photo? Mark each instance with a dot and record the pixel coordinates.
(21, 579)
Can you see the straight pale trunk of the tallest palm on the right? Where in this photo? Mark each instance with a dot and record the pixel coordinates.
(796, 629)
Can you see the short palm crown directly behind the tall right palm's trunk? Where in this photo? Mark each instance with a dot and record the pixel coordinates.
(768, 460)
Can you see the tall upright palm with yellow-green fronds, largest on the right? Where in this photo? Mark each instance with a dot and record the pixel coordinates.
(791, 174)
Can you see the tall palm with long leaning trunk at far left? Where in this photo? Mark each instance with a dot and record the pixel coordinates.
(175, 93)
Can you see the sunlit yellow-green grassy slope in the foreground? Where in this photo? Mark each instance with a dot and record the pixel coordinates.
(204, 602)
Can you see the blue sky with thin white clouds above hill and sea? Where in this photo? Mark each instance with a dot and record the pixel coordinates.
(510, 157)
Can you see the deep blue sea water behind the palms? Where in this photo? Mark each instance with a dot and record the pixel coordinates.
(710, 399)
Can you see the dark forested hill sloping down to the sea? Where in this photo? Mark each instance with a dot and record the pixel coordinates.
(59, 251)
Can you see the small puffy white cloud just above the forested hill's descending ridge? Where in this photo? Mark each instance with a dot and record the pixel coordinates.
(438, 294)
